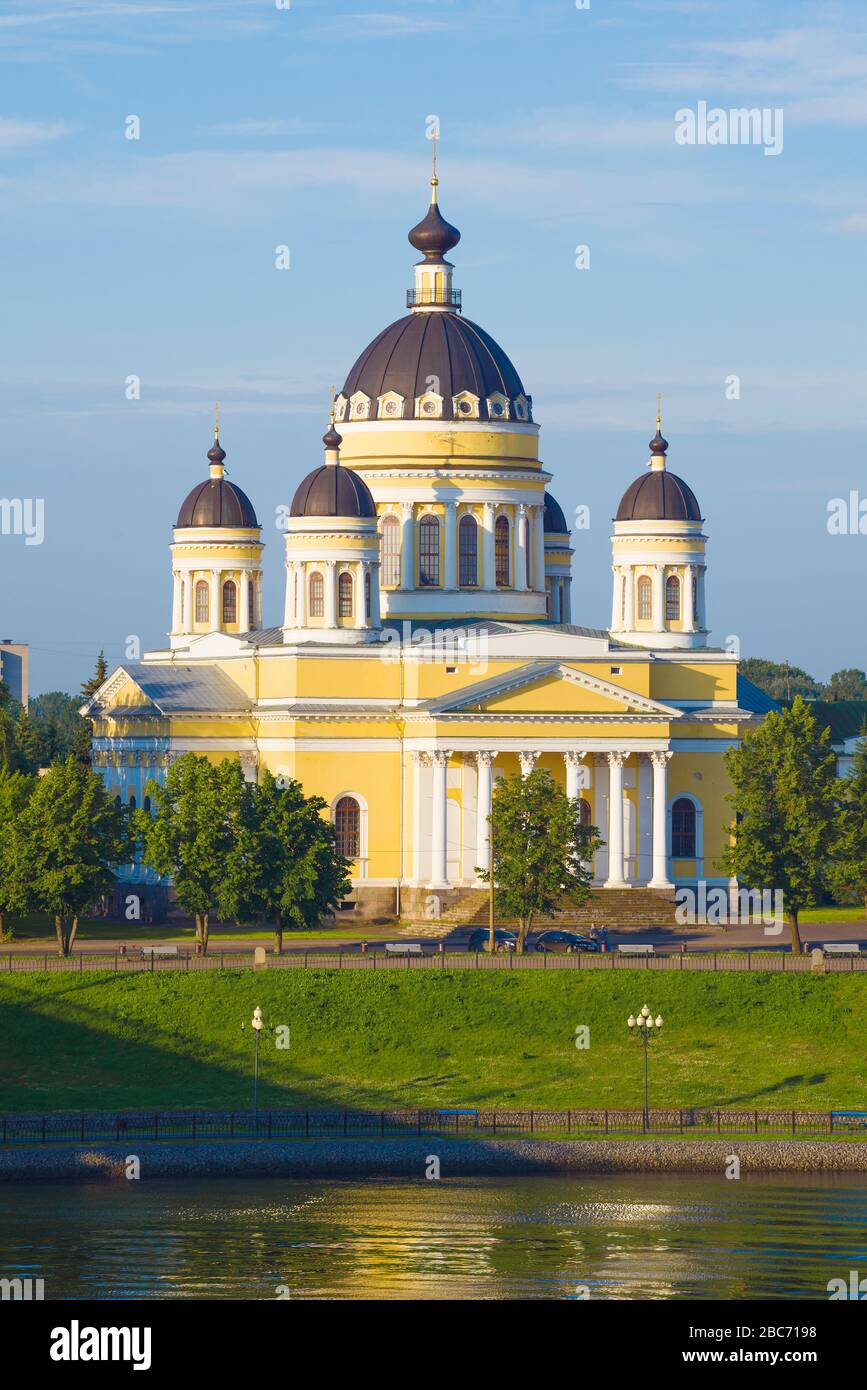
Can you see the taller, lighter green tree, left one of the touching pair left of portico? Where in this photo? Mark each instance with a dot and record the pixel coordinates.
(192, 837)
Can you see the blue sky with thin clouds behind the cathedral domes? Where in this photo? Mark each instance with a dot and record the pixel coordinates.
(726, 277)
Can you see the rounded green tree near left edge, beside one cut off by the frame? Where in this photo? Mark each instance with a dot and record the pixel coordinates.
(73, 835)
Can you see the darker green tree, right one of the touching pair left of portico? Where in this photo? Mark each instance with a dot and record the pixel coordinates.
(292, 874)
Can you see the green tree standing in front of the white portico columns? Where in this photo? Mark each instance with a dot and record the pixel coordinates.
(543, 851)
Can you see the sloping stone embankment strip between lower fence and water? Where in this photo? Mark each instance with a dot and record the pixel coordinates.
(412, 1159)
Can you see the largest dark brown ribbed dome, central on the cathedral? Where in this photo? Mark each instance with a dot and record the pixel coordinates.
(455, 351)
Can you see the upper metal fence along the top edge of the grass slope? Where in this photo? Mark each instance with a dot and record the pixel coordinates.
(134, 963)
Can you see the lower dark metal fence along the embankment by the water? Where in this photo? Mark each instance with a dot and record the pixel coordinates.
(129, 1127)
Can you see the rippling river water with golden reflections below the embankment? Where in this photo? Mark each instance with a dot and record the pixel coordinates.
(627, 1236)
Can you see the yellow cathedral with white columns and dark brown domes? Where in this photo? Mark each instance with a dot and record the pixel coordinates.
(429, 640)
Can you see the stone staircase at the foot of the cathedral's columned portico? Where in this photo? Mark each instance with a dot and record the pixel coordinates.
(620, 910)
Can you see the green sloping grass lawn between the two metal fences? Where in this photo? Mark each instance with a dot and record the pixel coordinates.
(174, 1040)
